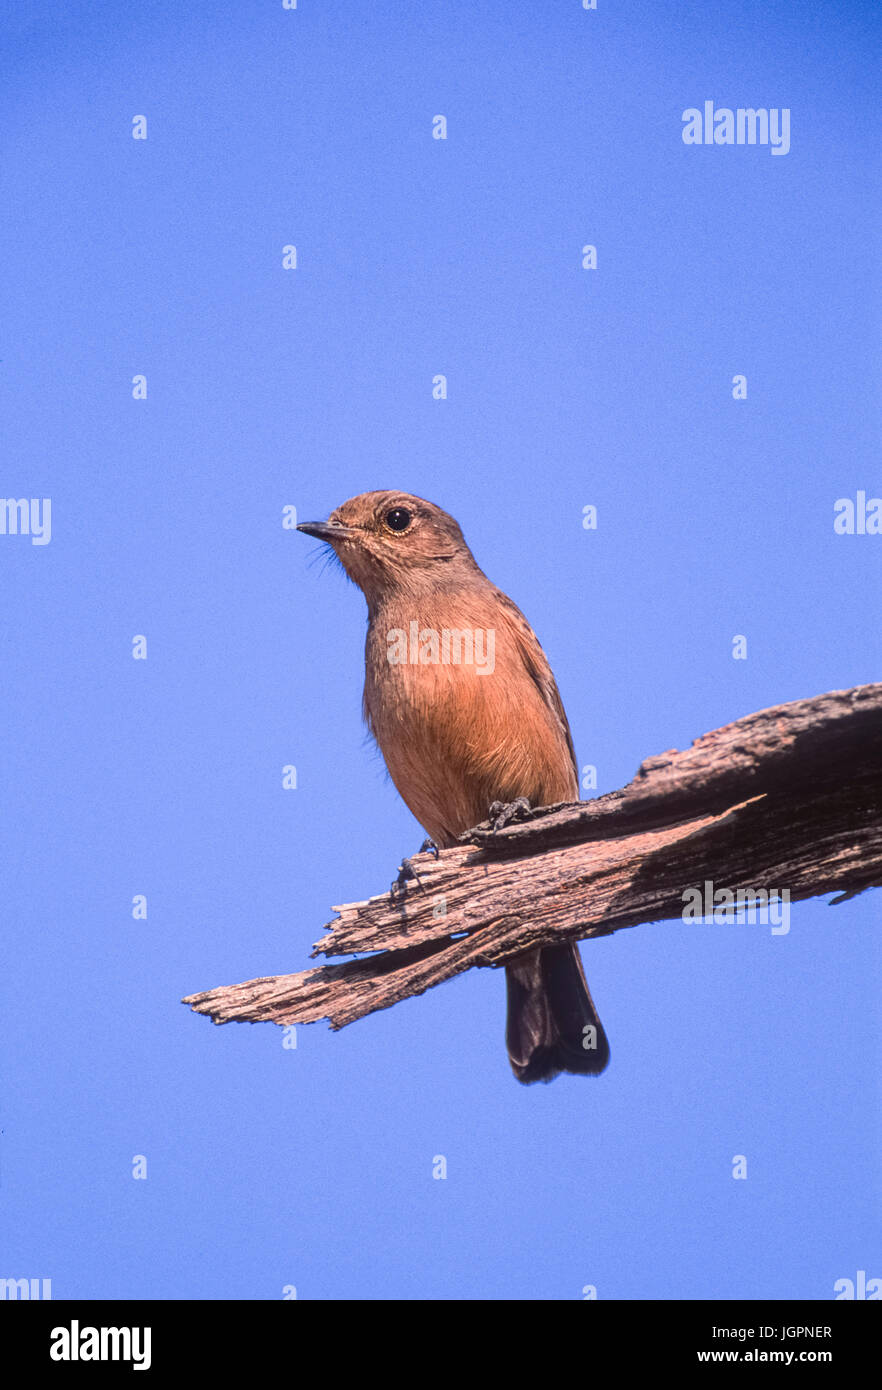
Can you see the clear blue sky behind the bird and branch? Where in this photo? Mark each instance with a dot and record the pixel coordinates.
(269, 1167)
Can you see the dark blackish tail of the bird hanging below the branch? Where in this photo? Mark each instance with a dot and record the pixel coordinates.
(554, 1024)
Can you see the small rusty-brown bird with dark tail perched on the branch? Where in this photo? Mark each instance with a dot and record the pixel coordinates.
(463, 705)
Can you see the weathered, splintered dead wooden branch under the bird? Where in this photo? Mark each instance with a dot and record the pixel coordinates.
(785, 800)
